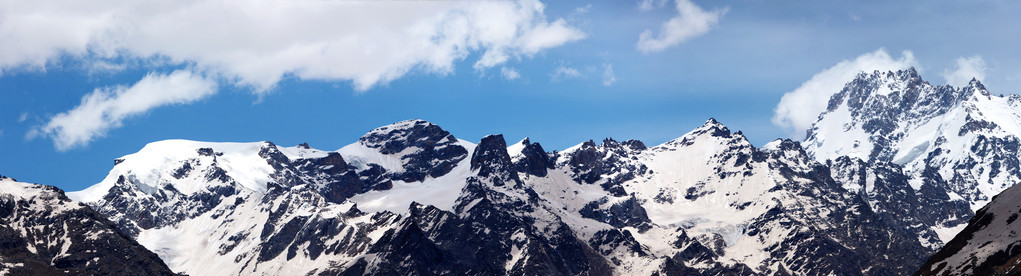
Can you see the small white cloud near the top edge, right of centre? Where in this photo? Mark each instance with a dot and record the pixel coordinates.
(691, 22)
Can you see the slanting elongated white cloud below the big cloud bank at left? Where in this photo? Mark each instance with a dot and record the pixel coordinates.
(107, 109)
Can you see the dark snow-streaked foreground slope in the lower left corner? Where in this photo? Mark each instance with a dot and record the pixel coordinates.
(50, 235)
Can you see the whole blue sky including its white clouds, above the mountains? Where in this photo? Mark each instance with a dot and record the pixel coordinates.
(567, 72)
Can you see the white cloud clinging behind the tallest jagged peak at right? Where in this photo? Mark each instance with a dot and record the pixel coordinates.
(800, 109)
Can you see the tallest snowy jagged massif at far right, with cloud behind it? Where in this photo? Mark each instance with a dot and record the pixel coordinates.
(896, 117)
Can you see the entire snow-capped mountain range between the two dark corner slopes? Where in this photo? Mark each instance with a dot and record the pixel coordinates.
(888, 175)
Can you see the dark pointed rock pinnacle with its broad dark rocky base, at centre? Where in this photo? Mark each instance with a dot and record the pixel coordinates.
(490, 221)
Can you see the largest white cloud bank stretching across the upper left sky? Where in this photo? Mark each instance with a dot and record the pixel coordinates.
(258, 43)
